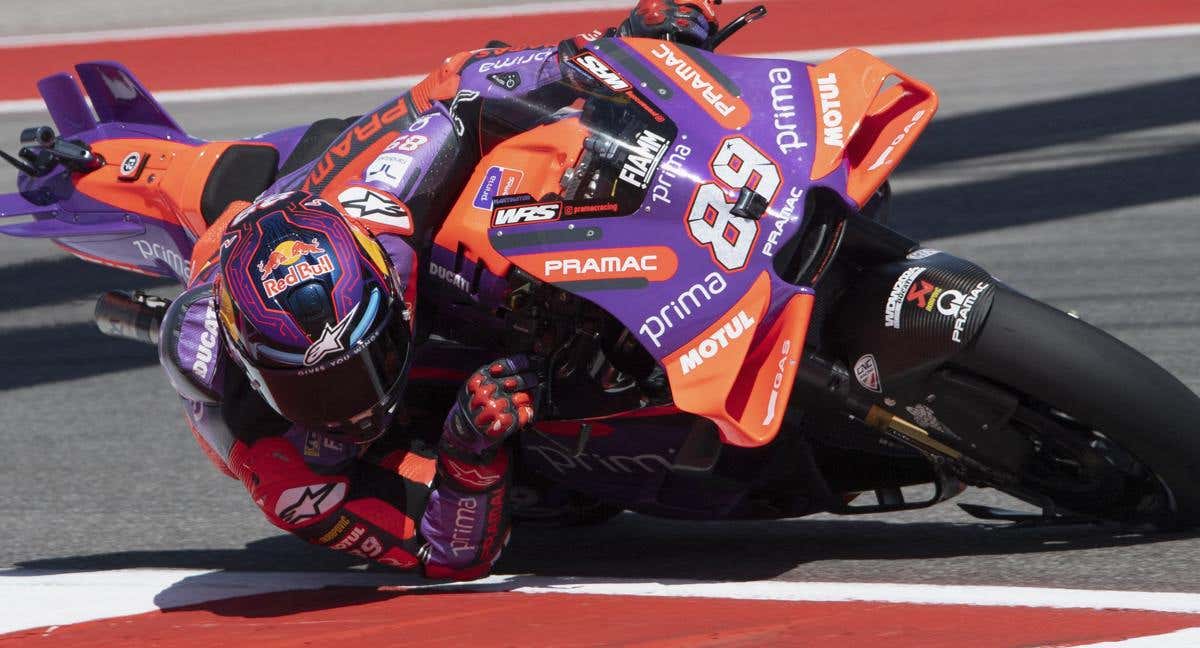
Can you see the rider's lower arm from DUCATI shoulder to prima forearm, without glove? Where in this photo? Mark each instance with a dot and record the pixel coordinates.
(388, 505)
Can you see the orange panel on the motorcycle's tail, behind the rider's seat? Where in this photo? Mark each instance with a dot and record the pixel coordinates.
(170, 185)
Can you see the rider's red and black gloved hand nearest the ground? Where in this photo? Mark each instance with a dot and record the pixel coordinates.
(497, 401)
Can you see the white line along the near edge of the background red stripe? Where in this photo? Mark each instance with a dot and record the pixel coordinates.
(897, 50)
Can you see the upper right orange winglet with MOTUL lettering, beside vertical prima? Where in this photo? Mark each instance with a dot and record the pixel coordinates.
(865, 124)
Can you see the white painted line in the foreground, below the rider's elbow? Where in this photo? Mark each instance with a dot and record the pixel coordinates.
(35, 599)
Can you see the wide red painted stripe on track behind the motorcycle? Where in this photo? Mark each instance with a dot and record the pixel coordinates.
(412, 49)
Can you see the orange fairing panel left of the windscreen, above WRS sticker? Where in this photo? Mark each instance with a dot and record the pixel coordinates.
(543, 155)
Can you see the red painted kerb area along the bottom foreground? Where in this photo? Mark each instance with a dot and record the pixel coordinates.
(369, 619)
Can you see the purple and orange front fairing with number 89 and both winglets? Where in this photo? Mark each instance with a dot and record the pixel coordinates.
(697, 136)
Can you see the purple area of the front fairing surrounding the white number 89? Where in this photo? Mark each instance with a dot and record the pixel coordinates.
(781, 98)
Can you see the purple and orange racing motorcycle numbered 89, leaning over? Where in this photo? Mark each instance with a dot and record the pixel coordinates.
(700, 251)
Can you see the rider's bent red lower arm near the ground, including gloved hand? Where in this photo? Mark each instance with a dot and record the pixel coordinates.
(400, 503)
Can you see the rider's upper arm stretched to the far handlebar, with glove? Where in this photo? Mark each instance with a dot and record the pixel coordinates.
(423, 147)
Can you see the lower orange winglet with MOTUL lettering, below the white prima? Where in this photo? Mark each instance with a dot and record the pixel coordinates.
(740, 386)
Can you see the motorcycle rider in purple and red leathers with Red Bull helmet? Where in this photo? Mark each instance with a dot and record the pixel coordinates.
(295, 341)
